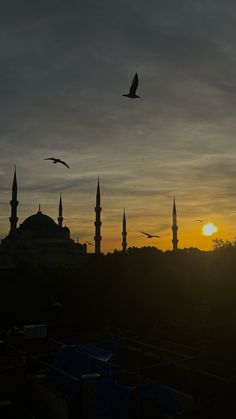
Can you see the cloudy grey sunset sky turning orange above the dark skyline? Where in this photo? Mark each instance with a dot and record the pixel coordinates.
(64, 66)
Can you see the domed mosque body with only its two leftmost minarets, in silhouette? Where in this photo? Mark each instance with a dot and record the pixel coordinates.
(39, 240)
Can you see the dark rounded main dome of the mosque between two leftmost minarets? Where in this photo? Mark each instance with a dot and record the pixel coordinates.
(39, 222)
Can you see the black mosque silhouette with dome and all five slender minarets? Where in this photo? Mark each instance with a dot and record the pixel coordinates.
(40, 241)
